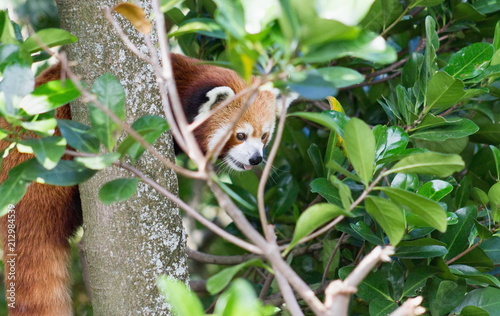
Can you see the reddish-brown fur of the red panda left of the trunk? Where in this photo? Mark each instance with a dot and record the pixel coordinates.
(45, 218)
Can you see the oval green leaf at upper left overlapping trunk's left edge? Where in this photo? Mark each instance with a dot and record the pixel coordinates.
(48, 37)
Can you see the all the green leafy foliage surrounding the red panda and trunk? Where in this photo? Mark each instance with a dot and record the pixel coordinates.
(413, 162)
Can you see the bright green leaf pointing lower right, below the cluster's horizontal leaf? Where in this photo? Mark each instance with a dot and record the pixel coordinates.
(429, 211)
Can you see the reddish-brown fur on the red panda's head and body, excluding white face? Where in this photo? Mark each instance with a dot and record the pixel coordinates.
(48, 215)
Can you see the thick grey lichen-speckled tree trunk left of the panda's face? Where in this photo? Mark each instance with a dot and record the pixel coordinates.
(127, 245)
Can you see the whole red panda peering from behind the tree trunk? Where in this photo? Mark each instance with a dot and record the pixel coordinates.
(48, 215)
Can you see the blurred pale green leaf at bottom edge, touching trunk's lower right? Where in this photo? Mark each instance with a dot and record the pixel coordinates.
(184, 302)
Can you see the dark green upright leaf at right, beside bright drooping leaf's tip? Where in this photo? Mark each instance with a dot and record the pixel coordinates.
(456, 237)
